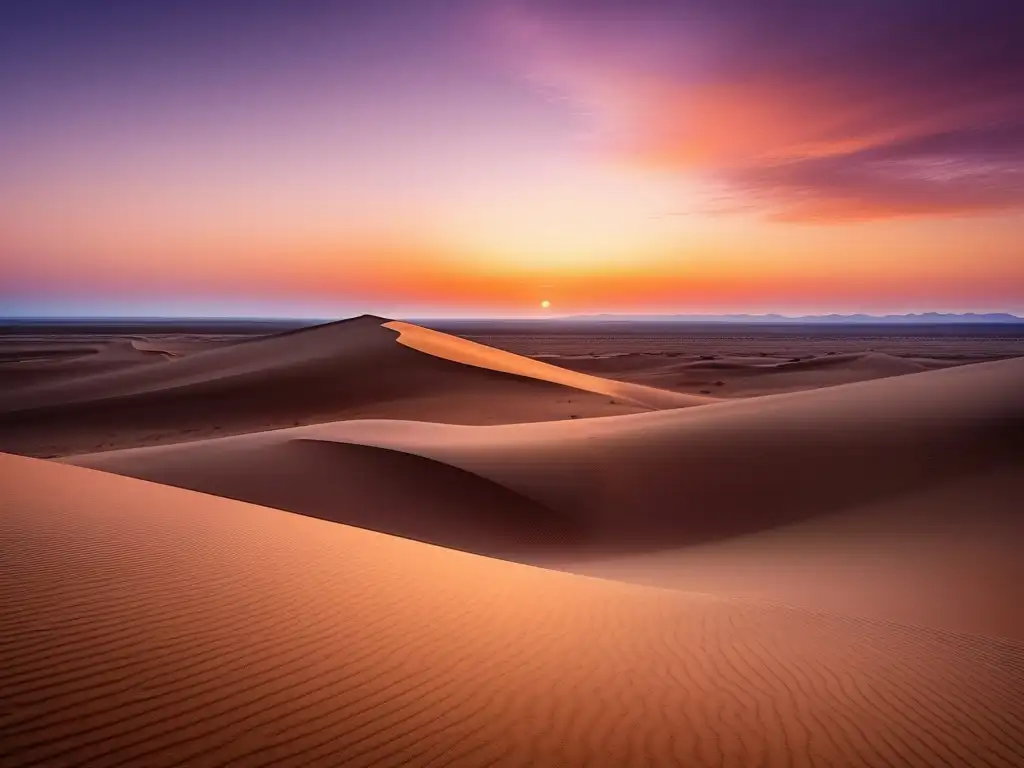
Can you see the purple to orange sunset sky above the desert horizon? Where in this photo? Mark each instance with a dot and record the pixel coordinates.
(461, 158)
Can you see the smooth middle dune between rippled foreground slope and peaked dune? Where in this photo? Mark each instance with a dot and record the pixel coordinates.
(925, 468)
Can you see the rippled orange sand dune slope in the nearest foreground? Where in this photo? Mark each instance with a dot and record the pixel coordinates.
(145, 625)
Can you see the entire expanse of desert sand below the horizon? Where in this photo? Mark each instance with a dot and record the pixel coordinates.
(818, 565)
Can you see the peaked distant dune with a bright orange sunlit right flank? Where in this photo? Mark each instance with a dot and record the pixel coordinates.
(335, 371)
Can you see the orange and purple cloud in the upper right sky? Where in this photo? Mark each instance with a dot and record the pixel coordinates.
(812, 110)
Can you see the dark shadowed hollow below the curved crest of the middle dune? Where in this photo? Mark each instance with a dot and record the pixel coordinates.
(388, 491)
